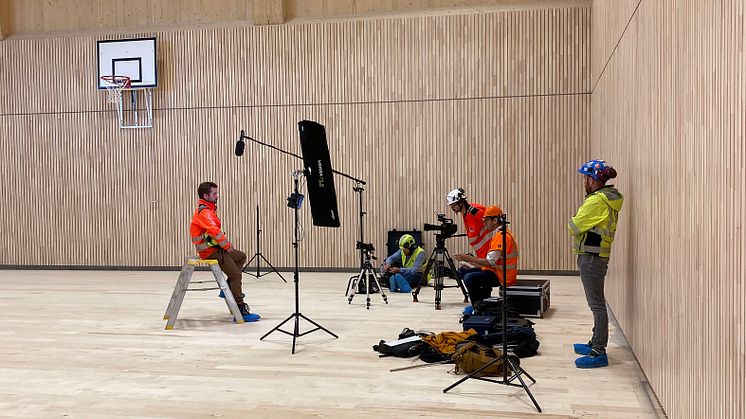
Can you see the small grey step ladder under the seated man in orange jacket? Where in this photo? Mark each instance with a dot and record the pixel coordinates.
(182, 286)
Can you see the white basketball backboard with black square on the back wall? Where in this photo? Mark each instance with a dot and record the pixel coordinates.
(134, 58)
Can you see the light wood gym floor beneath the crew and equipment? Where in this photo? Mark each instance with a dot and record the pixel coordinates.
(92, 344)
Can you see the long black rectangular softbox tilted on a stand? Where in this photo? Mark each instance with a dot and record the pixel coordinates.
(318, 170)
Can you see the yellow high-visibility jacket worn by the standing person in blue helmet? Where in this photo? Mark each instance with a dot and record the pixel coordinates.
(594, 224)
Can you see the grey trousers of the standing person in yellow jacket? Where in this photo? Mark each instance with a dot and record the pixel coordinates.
(592, 274)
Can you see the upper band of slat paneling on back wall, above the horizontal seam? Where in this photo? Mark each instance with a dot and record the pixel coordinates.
(215, 67)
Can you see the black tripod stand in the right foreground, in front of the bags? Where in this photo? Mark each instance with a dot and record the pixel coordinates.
(508, 363)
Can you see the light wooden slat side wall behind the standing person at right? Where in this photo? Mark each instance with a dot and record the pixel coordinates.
(668, 112)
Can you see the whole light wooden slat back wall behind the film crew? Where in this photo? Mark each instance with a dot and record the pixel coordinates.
(414, 106)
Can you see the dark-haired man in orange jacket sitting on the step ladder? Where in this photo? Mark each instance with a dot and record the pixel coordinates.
(212, 243)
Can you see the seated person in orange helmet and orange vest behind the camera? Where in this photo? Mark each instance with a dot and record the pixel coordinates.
(479, 283)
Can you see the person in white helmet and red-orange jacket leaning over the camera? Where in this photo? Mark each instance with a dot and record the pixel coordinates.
(479, 236)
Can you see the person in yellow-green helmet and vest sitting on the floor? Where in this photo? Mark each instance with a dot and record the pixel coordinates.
(411, 259)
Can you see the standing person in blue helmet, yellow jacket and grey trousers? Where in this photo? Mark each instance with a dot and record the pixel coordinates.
(593, 227)
